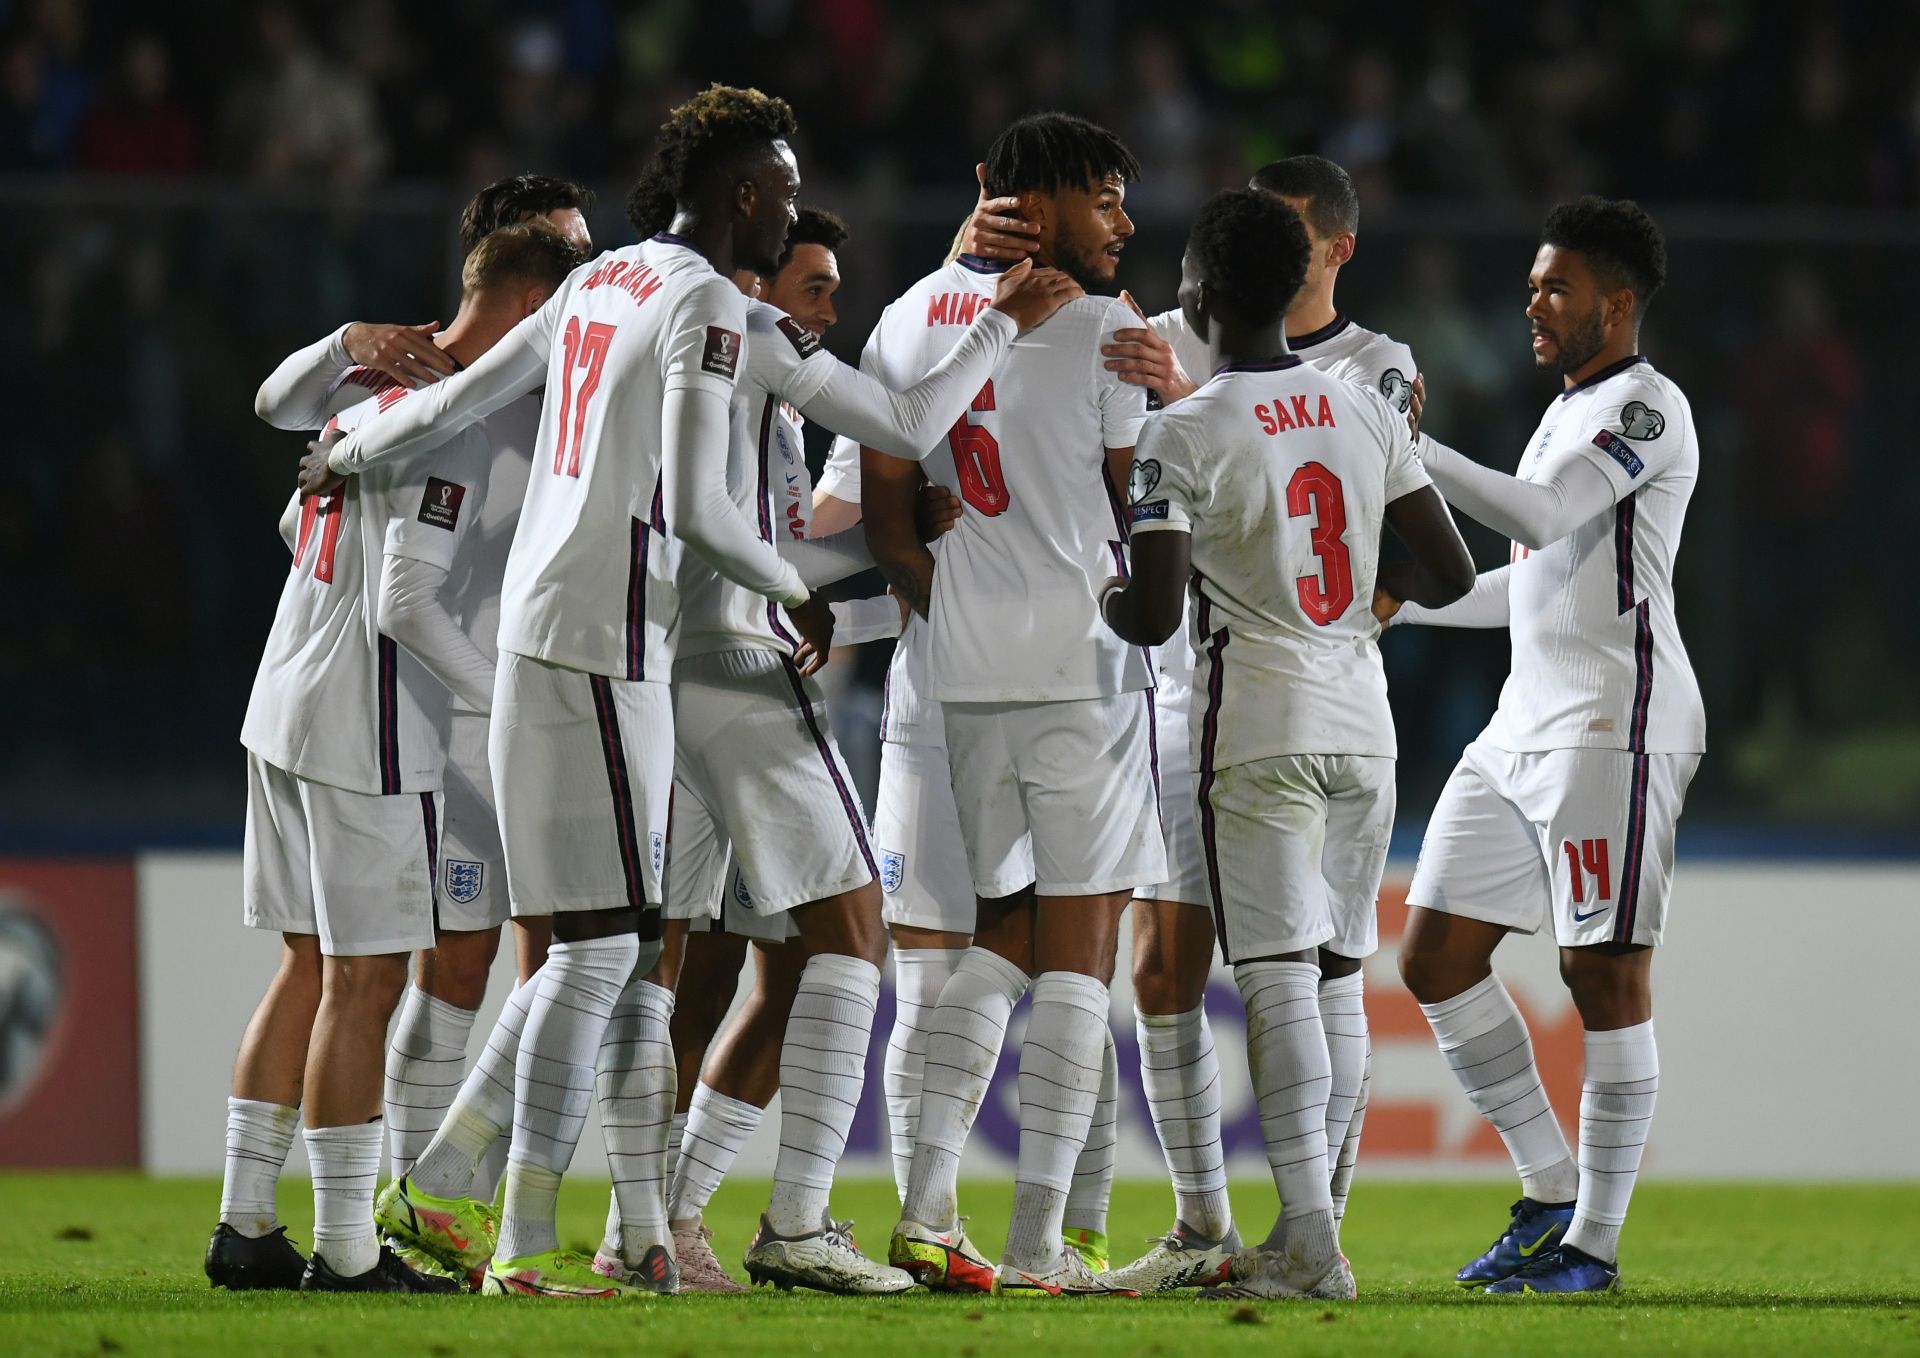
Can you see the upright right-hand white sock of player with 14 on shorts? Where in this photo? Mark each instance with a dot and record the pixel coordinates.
(1623, 1079)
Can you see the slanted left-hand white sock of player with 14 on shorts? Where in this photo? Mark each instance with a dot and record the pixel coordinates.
(1485, 1042)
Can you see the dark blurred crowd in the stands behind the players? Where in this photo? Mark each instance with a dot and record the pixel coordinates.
(193, 191)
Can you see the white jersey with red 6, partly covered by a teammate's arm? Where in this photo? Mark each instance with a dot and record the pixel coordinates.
(1015, 614)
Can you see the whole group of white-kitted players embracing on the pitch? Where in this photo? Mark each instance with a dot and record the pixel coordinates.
(548, 644)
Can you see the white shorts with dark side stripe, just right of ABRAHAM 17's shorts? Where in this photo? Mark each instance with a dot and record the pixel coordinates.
(757, 752)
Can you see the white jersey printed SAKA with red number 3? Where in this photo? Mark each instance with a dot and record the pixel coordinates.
(1282, 475)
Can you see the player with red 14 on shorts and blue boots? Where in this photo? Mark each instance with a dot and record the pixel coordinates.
(1564, 812)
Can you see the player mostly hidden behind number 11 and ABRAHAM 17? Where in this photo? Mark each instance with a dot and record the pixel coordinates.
(427, 1054)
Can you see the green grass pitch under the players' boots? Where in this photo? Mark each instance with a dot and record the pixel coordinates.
(110, 1265)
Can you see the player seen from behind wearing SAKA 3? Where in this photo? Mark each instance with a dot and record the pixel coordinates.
(1266, 491)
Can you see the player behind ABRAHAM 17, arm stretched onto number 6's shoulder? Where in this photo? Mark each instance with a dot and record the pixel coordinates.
(757, 756)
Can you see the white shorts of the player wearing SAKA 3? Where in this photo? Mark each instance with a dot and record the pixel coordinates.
(1295, 848)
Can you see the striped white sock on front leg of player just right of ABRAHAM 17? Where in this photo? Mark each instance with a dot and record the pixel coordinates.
(823, 1069)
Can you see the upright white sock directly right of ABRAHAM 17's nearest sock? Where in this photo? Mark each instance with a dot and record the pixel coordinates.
(636, 1103)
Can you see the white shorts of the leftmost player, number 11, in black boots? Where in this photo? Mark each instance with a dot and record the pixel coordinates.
(350, 867)
